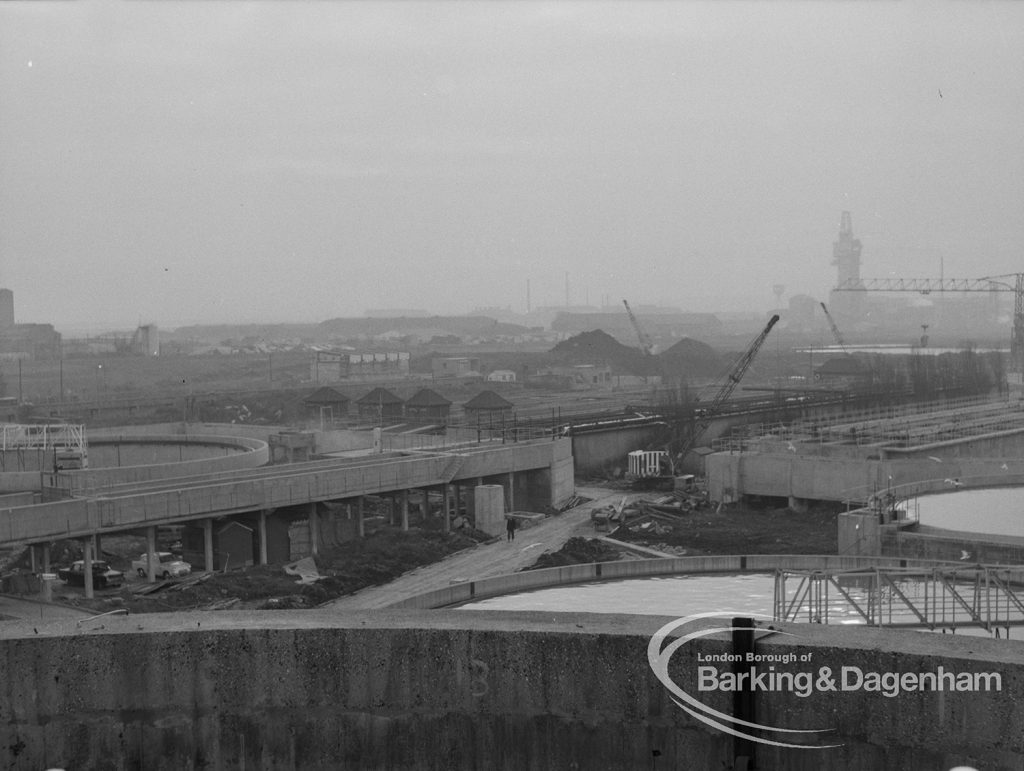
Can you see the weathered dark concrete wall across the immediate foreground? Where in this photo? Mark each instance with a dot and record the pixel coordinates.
(468, 691)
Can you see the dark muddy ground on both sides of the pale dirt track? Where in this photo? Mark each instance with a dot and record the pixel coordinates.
(388, 553)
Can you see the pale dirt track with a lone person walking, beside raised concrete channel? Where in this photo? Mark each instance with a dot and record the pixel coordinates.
(488, 560)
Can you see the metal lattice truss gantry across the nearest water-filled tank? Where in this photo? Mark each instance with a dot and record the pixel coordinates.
(940, 598)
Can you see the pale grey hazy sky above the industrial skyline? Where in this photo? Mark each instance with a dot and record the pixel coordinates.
(190, 162)
